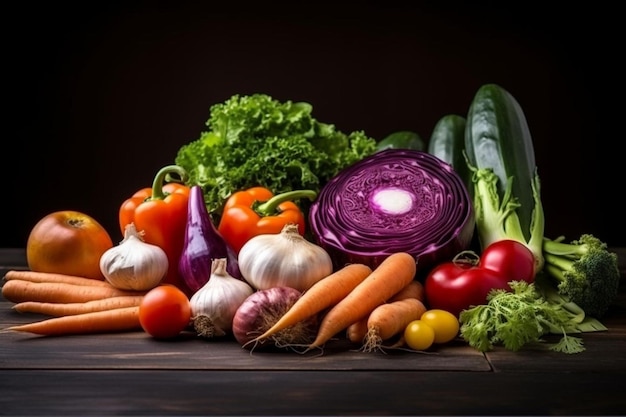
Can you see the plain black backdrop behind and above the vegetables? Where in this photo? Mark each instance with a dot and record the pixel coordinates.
(99, 97)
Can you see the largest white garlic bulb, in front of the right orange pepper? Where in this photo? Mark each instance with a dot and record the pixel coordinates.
(283, 259)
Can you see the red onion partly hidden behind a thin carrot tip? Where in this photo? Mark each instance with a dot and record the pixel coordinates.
(261, 310)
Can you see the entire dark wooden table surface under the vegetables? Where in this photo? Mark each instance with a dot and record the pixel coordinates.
(134, 374)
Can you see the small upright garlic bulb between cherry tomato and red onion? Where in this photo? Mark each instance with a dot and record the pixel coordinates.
(214, 305)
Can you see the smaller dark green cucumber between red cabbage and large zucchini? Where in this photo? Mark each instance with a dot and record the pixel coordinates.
(447, 142)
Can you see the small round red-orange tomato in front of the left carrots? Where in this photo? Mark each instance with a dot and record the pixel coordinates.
(165, 311)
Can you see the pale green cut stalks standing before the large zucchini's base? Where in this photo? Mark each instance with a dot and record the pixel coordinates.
(497, 219)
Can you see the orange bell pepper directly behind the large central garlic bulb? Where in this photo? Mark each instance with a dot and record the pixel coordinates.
(256, 211)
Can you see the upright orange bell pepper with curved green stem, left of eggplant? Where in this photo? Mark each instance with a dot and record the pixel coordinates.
(160, 213)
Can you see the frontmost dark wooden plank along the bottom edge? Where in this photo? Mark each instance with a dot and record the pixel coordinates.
(189, 392)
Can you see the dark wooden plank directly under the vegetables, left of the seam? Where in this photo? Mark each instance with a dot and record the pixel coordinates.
(137, 350)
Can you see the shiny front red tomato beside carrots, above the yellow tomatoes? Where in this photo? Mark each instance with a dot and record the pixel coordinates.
(454, 287)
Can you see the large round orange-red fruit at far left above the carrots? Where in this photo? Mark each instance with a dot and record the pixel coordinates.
(68, 242)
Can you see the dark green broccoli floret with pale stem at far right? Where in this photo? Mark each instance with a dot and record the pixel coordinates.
(583, 270)
